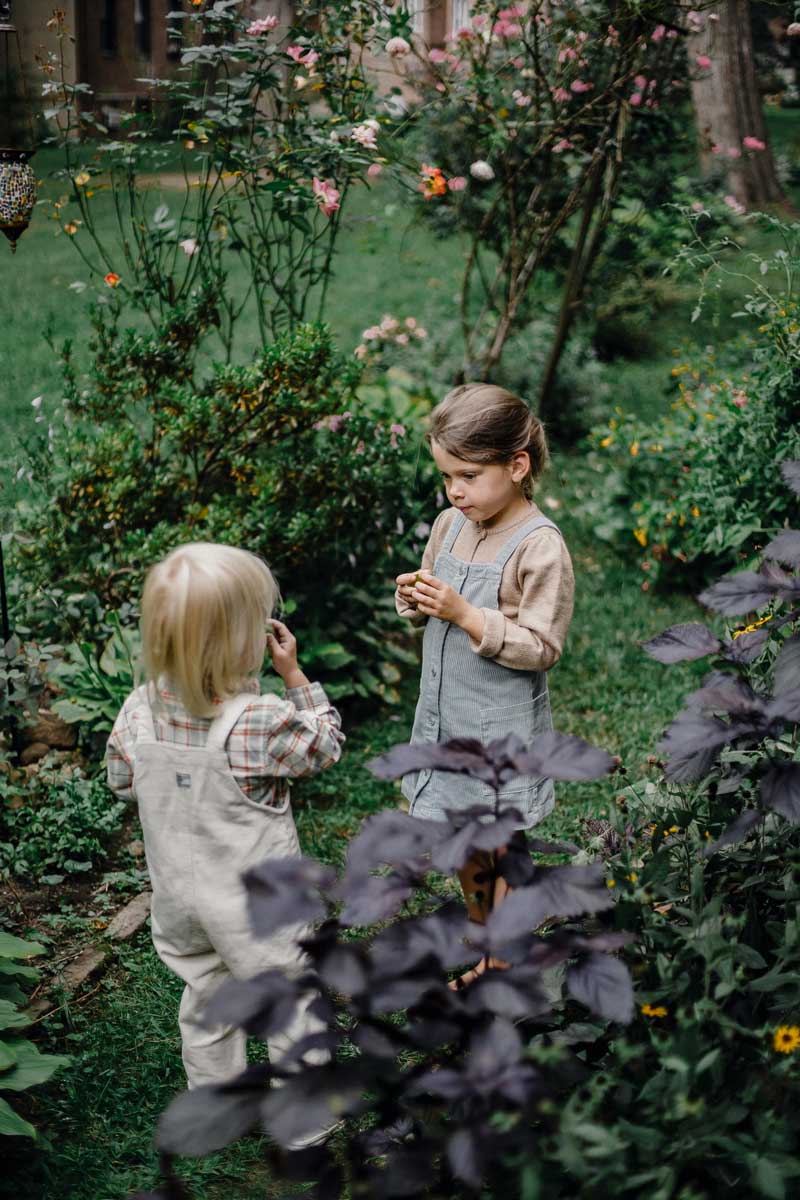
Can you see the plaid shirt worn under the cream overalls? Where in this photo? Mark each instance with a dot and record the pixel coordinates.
(275, 740)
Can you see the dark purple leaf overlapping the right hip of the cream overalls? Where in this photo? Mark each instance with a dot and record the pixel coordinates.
(286, 892)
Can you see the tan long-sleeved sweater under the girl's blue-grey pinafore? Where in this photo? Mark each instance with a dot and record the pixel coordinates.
(527, 633)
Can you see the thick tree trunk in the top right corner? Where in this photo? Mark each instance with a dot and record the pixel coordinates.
(729, 106)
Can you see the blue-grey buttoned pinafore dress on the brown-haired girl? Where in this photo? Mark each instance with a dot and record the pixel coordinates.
(464, 695)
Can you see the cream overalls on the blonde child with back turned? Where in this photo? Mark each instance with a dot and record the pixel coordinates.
(201, 835)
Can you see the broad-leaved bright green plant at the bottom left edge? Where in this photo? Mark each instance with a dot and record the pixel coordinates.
(22, 1066)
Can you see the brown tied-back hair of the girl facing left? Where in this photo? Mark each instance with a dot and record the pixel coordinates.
(480, 423)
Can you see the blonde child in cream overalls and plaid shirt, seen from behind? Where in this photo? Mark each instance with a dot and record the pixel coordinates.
(209, 760)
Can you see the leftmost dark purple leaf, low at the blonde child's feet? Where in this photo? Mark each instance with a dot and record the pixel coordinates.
(207, 1119)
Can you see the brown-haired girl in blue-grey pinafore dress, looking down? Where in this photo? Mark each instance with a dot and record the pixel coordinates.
(495, 592)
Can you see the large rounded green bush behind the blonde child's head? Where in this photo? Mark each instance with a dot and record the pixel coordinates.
(281, 457)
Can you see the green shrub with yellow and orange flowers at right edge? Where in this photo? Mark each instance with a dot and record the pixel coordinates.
(699, 485)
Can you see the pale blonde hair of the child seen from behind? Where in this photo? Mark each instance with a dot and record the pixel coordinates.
(204, 614)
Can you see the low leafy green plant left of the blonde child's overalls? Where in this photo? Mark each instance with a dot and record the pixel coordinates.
(63, 826)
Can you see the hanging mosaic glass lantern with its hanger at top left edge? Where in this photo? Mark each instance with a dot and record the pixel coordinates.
(17, 178)
